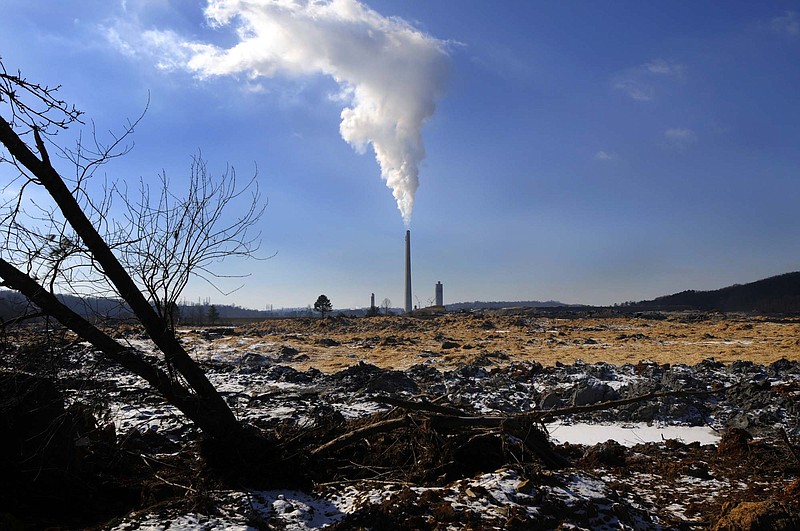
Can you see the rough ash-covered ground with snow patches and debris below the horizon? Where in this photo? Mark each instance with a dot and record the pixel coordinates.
(511, 419)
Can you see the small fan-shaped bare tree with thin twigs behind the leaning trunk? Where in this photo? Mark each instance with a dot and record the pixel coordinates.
(174, 238)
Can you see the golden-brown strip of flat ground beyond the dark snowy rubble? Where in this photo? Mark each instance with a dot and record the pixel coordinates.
(449, 341)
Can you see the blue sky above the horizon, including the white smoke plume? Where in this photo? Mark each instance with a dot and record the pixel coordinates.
(579, 151)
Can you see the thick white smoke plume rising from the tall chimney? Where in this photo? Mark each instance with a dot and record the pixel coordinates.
(389, 73)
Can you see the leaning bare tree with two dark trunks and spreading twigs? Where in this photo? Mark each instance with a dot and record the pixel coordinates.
(71, 243)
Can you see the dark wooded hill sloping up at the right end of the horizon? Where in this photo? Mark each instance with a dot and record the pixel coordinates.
(778, 294)
